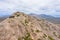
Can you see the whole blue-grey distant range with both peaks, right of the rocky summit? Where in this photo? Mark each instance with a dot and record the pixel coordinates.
(50, 18)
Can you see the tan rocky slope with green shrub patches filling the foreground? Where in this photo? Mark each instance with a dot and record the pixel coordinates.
(20, 26)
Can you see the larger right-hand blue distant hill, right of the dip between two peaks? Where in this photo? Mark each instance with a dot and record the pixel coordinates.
(52, 19)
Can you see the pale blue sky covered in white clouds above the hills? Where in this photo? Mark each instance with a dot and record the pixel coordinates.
(50, 7)
